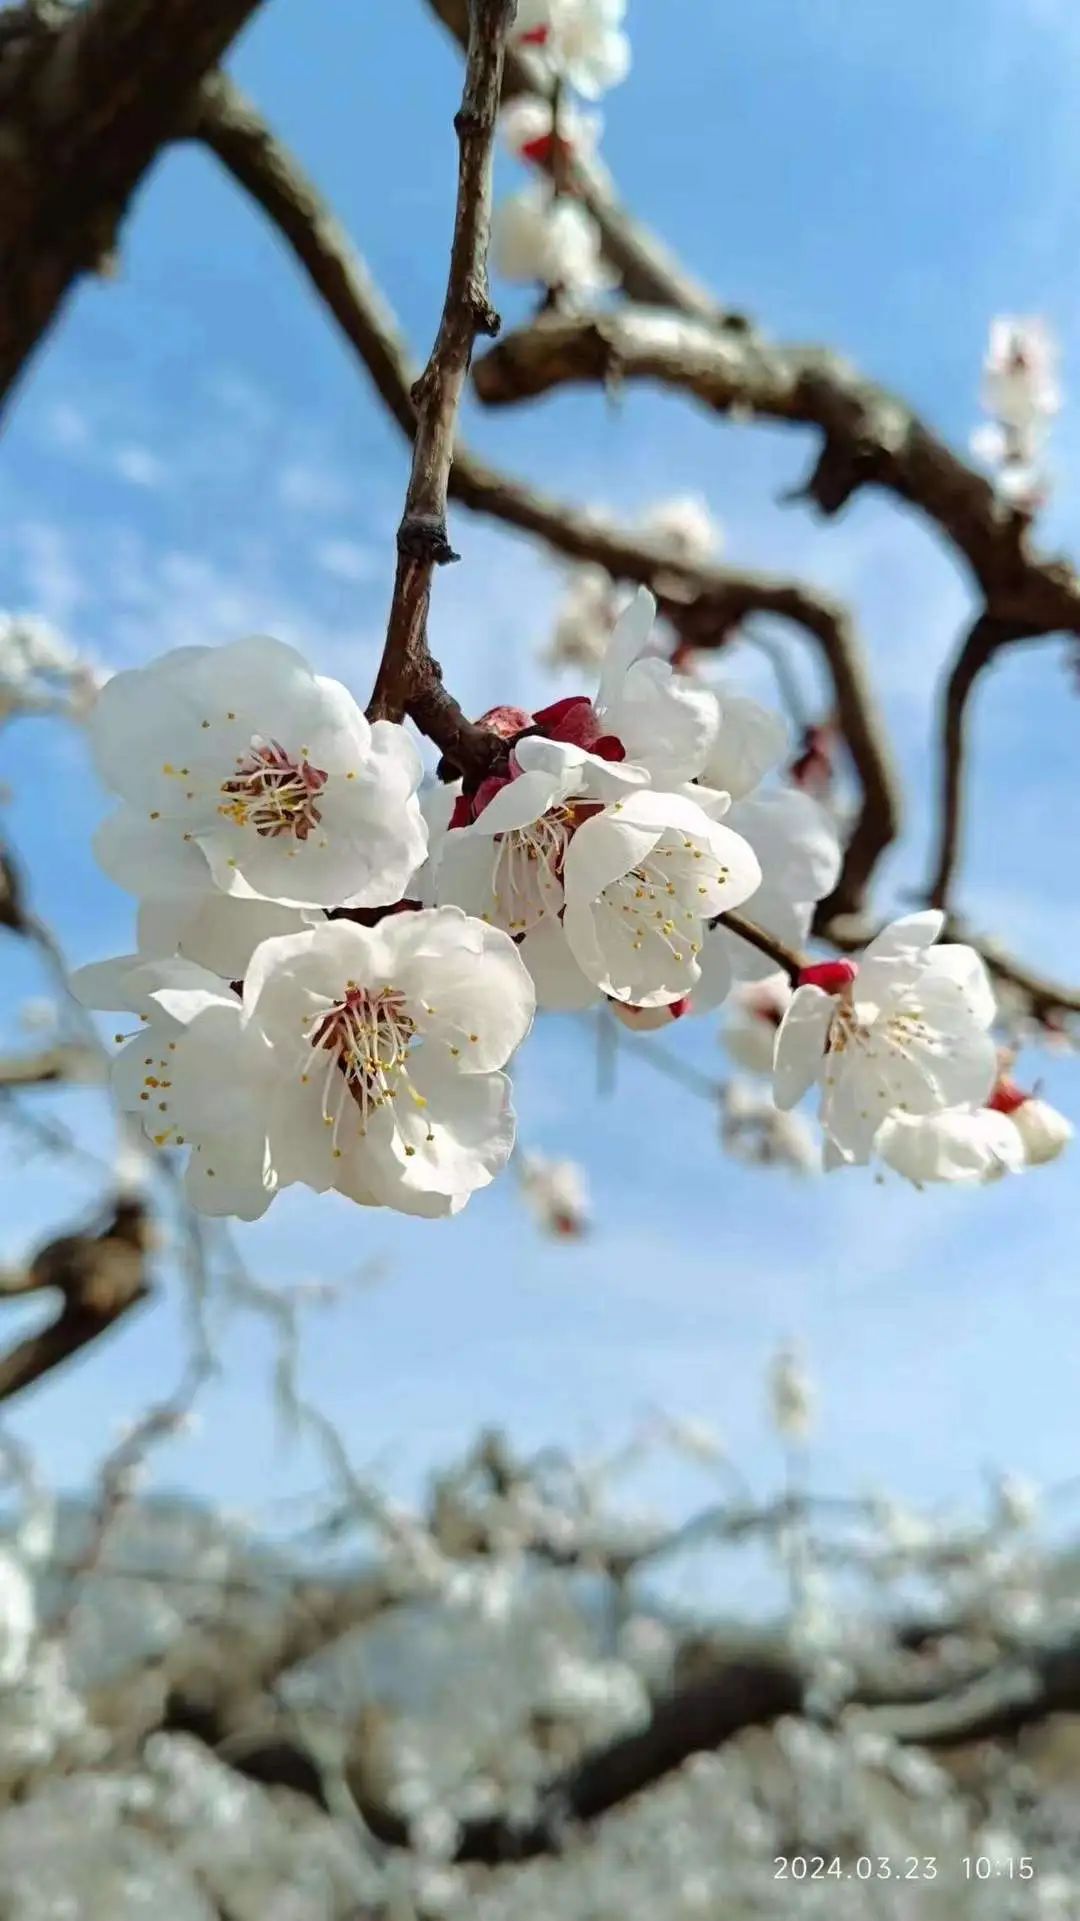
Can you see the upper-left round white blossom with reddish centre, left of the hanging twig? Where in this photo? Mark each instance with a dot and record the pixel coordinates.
(243, 769)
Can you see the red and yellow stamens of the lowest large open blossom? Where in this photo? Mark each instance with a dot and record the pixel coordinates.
(368, 1040)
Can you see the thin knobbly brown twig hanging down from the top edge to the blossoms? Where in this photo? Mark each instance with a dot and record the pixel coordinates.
(406, 669)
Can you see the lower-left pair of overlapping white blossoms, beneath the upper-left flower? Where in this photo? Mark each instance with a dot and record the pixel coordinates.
(362, 1059)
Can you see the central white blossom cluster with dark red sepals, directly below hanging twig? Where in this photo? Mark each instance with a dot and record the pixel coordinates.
(624, 827)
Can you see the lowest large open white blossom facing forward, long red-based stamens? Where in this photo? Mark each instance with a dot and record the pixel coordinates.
(387, 1048)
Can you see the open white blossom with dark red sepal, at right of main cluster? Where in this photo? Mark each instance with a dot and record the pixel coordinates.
(906, 1033)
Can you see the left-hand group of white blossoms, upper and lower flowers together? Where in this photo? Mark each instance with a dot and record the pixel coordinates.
(282, 1046)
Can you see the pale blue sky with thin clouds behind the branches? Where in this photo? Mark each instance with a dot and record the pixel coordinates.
(197, 456)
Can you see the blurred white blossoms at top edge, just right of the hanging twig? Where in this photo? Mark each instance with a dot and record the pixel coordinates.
(543, 233)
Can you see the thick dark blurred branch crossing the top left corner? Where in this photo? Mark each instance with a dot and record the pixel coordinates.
(87, 99)
